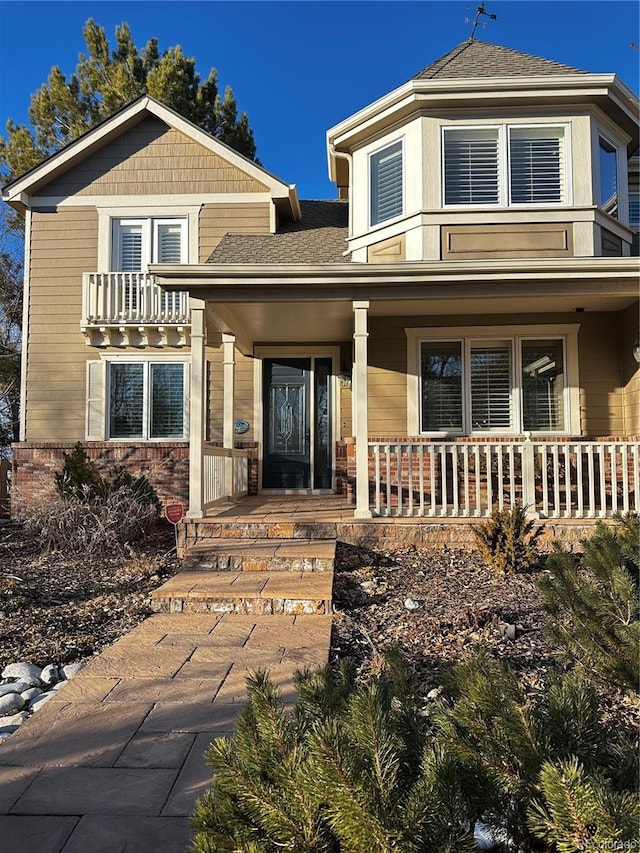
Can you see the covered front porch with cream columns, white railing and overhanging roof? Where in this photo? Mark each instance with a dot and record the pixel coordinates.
(587, 470)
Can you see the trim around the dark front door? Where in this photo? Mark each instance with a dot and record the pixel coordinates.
(262, 352)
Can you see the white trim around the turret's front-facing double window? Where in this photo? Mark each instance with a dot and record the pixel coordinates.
(504, 183)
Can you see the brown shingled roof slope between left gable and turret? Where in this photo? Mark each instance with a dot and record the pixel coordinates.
(320, 237)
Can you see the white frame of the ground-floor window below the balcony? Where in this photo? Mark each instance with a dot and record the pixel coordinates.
(148, 363)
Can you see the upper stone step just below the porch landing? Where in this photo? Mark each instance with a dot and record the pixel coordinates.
(259, 555)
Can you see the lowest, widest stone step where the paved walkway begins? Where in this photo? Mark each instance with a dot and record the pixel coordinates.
(245, 592)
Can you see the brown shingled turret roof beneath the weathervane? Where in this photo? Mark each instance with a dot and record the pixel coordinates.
(473, 58)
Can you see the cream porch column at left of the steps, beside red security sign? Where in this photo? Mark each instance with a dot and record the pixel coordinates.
(196, 410)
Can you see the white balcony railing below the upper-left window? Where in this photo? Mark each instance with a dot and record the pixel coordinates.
(120, 298)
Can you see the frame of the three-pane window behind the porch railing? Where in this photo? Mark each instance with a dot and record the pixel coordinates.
(470, 335)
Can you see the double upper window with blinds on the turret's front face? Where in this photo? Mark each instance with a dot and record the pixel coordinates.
(504, 165)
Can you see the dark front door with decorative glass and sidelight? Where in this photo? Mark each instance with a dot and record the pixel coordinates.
(297, 423)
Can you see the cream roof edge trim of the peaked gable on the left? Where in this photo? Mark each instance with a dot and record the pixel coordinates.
(17, 191)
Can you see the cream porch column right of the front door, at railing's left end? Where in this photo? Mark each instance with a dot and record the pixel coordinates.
(360, 409)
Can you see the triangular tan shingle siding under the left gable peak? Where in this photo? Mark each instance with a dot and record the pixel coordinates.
(152, 159)
